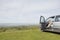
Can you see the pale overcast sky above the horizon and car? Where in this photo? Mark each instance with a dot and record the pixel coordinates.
(27, 11)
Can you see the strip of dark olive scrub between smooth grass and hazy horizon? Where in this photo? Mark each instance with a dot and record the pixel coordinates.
(3, 29)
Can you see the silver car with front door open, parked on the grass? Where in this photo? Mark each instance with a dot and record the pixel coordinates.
(50, 24)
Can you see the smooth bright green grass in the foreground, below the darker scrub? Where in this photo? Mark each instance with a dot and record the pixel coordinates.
(31, 34)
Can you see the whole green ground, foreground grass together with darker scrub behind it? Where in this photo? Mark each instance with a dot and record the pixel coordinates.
(26, 33)
